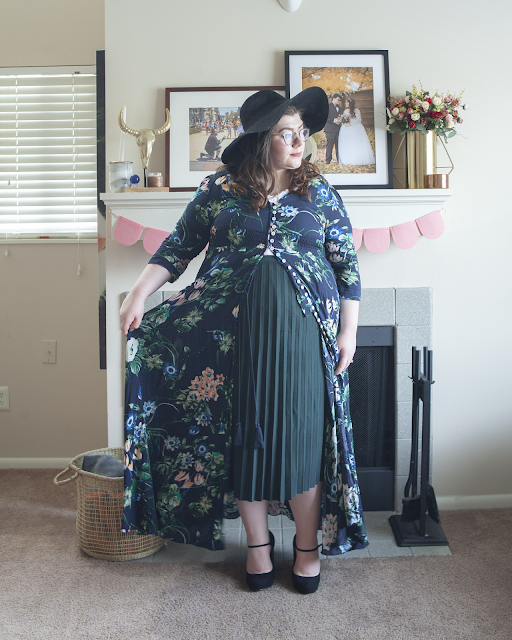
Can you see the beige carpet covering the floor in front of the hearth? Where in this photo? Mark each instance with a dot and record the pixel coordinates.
(51, 590)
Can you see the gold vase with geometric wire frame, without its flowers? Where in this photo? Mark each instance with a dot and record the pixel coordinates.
(420, 151)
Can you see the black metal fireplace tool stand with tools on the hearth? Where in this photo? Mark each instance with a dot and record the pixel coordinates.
(415, 527)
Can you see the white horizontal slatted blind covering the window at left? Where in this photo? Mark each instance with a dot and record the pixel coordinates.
(48, 153)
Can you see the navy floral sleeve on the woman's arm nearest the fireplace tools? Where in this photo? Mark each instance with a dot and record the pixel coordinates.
(340, 250)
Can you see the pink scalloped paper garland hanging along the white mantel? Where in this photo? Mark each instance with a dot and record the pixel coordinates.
(376, 240)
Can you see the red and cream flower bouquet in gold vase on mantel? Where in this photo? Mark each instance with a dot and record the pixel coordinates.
(433, 116)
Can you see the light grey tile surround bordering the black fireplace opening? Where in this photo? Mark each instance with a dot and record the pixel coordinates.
(409, 311)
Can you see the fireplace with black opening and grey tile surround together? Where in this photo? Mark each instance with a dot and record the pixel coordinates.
(395, 320)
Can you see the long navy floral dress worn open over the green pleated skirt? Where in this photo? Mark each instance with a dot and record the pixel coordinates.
(180, 363)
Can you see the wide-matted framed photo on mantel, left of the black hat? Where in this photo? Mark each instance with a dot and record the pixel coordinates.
(203, 122)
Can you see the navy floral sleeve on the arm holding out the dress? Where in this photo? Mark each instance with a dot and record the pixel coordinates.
(190, 235)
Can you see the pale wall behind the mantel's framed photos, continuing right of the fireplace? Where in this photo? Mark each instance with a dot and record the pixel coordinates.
(468, 268)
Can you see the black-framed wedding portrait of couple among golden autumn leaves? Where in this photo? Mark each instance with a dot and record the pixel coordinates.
(353, 151)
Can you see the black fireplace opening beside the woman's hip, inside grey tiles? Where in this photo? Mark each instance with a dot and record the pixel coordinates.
(372, 409)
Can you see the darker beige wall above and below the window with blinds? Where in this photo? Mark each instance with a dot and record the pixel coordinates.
(57, 410)
